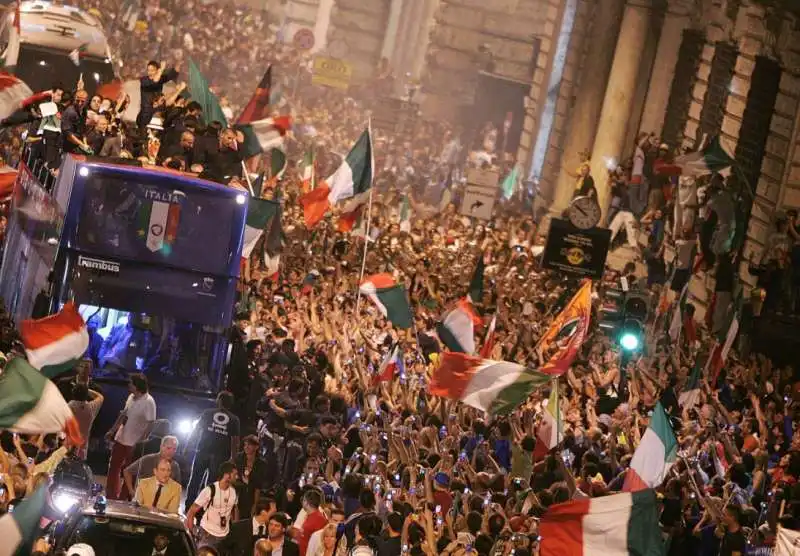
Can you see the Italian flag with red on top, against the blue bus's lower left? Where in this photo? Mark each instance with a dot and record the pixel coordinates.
(56, 343)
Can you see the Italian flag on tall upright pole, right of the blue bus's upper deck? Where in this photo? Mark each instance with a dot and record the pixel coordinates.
(349, 187)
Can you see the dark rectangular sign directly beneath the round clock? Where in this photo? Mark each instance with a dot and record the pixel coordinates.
(574, 251)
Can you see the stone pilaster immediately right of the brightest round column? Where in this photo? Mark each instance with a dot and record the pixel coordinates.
(676, 21)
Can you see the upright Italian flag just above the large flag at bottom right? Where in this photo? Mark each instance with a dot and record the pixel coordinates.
(655, 454)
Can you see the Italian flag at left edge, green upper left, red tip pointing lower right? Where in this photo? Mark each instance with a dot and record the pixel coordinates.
(31, 404)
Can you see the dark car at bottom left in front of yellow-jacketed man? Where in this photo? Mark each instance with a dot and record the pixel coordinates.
(118, 528)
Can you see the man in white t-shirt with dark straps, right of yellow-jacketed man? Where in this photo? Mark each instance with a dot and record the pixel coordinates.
(219, 504)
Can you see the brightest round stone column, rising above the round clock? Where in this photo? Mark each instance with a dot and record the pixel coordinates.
(618, 101)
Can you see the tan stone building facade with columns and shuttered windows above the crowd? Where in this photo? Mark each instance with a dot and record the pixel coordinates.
(601, 72)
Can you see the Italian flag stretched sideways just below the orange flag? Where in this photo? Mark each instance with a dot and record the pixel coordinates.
(497, 387)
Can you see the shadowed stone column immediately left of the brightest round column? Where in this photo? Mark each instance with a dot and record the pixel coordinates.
(588, 98)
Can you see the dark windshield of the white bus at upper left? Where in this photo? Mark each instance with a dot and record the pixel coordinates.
(42, 68)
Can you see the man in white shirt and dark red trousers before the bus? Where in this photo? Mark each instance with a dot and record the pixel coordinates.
(133, 425)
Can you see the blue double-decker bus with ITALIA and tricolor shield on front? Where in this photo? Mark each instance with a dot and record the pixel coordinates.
(151, 257)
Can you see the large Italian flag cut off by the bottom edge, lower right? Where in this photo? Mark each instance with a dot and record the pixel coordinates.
(619, 525)
